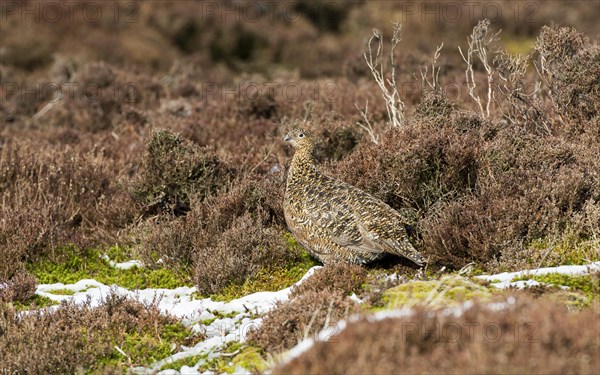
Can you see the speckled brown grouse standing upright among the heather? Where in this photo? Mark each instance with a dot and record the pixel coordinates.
(336, 221)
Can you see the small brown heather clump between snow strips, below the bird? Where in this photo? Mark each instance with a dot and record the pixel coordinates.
(302, 317)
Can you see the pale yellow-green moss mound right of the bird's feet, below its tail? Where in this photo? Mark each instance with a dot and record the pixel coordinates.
(449, 290)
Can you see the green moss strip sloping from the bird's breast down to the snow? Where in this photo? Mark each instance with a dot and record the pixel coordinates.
(272, 279)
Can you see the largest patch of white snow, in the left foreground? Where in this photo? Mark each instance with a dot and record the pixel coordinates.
(180, 302)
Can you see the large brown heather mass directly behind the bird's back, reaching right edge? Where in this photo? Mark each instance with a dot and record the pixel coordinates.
(478, 190)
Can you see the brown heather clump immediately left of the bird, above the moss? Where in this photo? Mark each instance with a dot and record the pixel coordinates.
(227, 238)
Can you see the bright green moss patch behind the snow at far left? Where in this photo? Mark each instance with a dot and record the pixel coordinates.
(73, 265)
